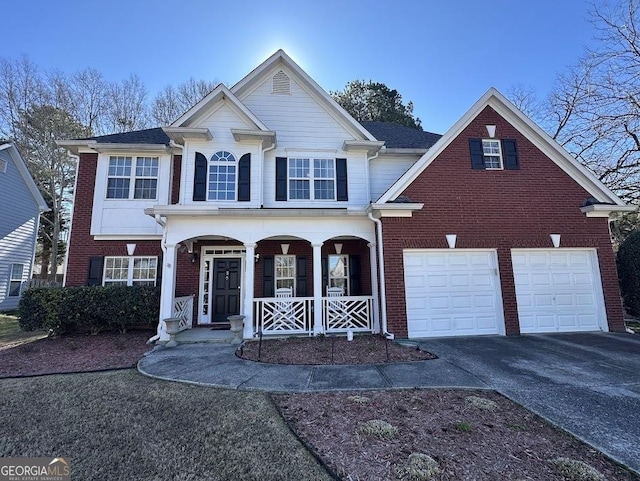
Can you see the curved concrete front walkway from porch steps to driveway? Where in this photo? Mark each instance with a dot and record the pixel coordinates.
(217, 365)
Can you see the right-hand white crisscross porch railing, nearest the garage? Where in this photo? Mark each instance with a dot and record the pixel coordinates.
(347, 313)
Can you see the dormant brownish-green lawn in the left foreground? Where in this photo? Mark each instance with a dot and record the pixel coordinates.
(120, 425)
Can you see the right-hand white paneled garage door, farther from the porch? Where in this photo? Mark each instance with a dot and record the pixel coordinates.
(558, 290)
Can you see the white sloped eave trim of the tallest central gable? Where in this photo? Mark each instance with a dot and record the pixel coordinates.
(280, 57)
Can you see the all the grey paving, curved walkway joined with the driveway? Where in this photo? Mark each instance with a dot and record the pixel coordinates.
(587, 384)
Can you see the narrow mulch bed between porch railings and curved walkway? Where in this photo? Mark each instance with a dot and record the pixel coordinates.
(364, 349)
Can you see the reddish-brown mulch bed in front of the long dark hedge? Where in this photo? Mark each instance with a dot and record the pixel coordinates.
(73, 353)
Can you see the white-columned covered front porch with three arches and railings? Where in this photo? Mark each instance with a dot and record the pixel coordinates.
(283, 284)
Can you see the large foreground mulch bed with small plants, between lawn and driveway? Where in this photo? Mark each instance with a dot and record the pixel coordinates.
(468, 440)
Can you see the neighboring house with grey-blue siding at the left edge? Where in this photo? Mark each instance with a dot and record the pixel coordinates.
(19, 219)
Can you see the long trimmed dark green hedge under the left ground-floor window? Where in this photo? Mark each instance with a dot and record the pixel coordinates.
(89, 309)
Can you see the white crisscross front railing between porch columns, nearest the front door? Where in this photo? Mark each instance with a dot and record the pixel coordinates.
(283, 315)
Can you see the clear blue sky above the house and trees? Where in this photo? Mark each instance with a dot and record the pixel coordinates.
(441, 55)
